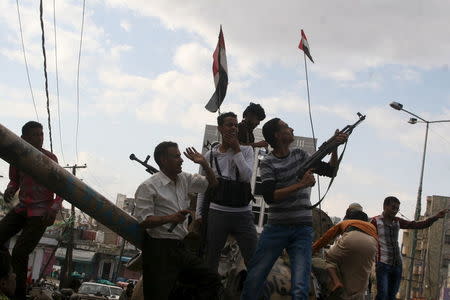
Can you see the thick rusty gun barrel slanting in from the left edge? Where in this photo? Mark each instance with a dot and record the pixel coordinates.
(48, 173)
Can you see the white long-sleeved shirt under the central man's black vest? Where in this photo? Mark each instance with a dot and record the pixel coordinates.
(228, 162)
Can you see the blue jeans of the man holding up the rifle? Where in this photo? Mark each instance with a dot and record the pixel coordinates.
(297, 240)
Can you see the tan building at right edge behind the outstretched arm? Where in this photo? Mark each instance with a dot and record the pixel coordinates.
(432, 256)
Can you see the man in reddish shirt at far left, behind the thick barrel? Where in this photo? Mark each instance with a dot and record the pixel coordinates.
(36, 210)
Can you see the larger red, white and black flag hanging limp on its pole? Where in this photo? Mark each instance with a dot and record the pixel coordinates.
(220, 73)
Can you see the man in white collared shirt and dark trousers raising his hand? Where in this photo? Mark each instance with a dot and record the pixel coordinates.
(161, 201)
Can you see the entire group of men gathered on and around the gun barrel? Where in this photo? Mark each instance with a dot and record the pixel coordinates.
(224, 208)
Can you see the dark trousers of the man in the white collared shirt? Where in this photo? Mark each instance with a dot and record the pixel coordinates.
(167, 262)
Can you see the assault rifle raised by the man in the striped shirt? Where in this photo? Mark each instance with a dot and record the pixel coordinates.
(327, 147)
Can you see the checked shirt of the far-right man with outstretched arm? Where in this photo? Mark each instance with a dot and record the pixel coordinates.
(388, 248)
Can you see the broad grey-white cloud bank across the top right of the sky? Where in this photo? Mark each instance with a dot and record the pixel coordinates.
(344, 38)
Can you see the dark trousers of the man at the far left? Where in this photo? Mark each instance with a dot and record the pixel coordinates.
(32, 230)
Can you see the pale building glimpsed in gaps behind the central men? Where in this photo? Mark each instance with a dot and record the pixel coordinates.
(260, 208)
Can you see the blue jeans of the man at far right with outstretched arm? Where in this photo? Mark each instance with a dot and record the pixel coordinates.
(388, 281)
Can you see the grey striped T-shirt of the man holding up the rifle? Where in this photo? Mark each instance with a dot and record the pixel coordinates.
(283, 171)
